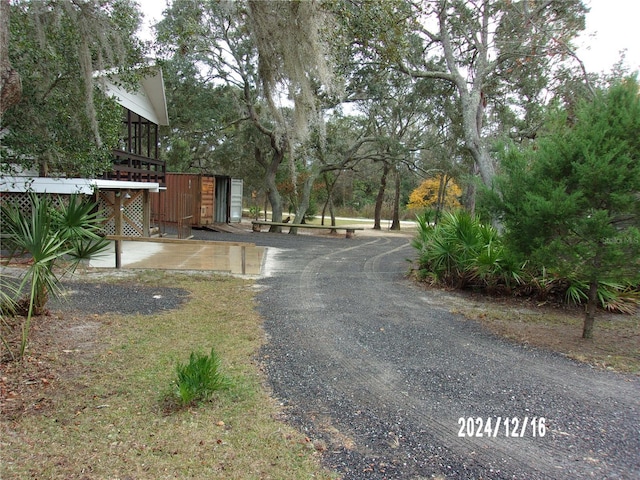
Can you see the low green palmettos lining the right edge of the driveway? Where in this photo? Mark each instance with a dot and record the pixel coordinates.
(462, 252)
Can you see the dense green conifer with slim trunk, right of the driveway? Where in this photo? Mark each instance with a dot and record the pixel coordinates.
(571, 202)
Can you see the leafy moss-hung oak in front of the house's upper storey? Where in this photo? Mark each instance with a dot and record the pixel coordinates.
(64, 124)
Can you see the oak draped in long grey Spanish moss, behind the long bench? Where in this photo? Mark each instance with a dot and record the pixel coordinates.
(270, 52)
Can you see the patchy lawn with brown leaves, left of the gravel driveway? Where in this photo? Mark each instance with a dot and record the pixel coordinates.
(92, 400)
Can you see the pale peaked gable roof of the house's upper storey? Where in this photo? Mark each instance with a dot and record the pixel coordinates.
(148, 101)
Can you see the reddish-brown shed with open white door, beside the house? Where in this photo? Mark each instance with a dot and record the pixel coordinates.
(197, 200)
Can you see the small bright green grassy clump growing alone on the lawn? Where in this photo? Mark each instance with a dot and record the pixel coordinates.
(200, 378)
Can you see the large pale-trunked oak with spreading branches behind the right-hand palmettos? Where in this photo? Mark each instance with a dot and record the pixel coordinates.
(495, 53)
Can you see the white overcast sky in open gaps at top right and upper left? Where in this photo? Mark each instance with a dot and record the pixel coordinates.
(612, 26)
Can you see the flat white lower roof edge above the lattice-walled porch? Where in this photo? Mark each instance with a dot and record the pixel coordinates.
(68, 186)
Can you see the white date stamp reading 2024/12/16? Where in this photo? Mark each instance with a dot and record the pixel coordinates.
(512, 427)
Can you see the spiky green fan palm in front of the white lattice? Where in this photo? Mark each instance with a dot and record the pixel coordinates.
(48, 235)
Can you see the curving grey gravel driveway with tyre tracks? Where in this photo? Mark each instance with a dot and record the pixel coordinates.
(389, 384)
